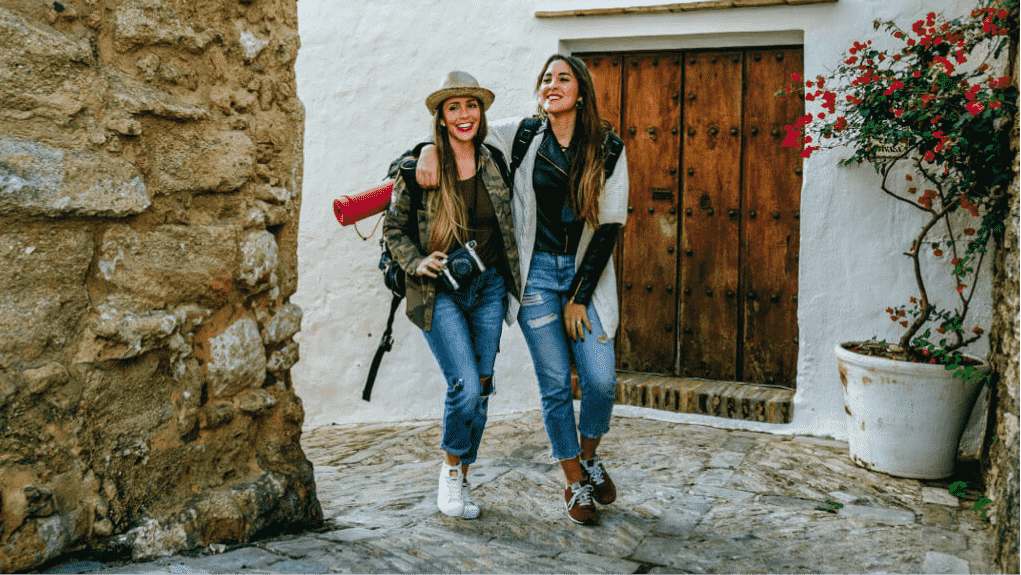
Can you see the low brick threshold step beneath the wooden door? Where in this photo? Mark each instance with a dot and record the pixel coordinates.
(730, 400)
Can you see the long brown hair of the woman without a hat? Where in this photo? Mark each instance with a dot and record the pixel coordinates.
(588, 171)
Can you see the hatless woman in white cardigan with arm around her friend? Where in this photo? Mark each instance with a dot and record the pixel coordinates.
(567, 217)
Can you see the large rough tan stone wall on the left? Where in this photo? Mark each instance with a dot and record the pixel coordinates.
(151, 176)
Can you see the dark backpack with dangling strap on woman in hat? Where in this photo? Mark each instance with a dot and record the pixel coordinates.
(395, 277)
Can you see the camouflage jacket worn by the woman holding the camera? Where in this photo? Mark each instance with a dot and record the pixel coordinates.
(409, 254)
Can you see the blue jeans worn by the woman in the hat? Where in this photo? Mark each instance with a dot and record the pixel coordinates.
(465, 338)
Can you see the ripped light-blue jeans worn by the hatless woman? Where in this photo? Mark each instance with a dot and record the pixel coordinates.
(542, 320)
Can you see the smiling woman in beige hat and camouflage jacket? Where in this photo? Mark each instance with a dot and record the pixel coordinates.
(461, 323)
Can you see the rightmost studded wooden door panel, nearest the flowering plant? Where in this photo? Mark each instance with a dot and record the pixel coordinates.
(771, 228)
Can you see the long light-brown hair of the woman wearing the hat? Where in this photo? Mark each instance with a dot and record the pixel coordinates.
(448, 213)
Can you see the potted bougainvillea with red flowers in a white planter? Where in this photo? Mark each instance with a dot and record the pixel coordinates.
(930, 113)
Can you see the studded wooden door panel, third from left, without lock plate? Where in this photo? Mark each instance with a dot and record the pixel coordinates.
(712, 205)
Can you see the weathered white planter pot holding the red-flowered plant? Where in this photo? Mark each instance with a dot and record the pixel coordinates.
(904, 419)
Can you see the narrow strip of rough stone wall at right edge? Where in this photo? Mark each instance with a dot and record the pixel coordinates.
(1001, 464)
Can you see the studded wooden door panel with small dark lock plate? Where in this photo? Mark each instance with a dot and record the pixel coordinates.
(649, 266)
